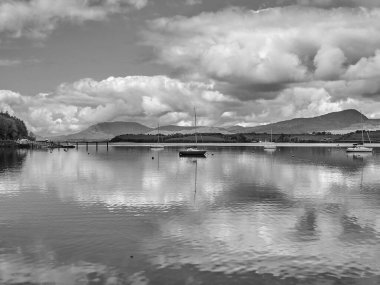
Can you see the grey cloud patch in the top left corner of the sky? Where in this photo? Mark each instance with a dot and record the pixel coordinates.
(37, 18)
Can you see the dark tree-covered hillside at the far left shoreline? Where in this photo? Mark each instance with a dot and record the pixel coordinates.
(11, 128)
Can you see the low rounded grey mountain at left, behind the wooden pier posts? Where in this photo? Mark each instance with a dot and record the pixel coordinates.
(105, 131)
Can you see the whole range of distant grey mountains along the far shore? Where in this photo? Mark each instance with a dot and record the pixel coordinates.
(337, 122)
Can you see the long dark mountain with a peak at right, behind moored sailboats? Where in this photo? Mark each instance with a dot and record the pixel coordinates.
(343, 121)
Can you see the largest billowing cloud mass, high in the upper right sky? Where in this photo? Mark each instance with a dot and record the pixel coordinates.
(263, 51)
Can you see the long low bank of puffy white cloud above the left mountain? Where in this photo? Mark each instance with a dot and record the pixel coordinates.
(75, 106)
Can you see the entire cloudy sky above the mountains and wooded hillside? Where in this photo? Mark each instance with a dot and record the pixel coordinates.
(69, 64)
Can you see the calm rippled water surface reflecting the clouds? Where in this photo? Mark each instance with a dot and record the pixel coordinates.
(240, 216)
